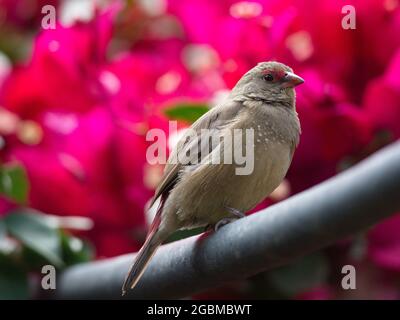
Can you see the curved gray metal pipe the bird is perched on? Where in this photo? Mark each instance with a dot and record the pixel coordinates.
(341, 206)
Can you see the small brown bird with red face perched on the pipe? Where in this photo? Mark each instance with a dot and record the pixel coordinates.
(205, 194)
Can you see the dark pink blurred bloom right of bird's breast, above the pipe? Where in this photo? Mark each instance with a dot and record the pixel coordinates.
(332, 131)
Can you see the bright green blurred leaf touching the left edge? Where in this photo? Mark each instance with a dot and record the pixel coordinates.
(14, 182)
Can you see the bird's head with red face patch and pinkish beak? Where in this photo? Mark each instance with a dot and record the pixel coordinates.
(271, 81)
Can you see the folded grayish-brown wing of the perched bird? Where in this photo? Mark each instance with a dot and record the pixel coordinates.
(217, 118)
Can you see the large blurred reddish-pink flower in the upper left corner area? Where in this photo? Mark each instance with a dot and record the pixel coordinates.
(62, 69)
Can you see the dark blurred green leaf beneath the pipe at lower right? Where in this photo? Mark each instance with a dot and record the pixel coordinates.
(303, 274)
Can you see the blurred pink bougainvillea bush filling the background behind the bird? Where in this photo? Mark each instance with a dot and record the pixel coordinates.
(76, 102)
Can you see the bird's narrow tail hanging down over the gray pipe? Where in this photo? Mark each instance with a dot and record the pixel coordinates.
(143, 257)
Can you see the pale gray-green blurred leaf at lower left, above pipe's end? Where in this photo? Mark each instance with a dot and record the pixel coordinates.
(36, 234)
